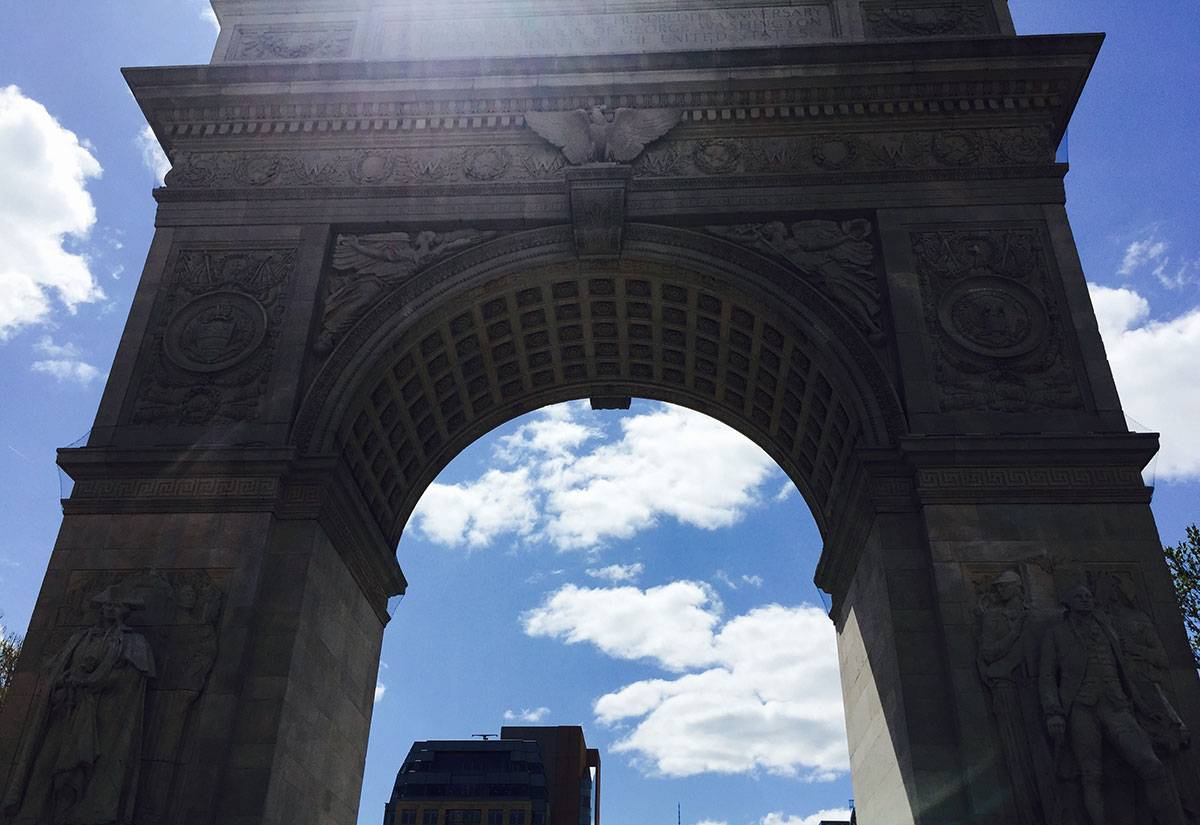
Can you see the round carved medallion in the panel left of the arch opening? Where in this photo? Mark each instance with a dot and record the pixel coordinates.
(215, 332)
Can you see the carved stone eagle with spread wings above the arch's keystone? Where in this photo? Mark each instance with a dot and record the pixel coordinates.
(601, 137)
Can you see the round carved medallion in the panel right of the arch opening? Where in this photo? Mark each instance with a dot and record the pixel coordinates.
(994, 317)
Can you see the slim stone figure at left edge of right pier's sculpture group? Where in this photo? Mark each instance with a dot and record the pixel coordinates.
(1004, 633)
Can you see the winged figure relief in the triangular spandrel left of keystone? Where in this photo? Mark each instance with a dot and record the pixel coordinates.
(367, 267)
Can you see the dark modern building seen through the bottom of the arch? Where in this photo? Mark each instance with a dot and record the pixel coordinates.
(531, 776)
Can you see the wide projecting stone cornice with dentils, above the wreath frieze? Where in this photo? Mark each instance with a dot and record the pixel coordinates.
(1021, 80)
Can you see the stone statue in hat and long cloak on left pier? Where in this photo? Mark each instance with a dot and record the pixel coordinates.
(82, 752)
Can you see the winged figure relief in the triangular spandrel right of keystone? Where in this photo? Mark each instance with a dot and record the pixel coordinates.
(839, 257)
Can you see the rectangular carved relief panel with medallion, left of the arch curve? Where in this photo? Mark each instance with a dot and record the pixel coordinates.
(212, 339)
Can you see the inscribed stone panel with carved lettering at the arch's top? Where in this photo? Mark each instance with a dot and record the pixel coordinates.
(605, 34)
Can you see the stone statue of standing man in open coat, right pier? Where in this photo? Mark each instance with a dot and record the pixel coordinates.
(1089, 700)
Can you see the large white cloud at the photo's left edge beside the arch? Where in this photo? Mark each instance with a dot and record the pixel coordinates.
(45, 207)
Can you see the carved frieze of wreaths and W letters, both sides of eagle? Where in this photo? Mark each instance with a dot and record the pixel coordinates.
(815, 154)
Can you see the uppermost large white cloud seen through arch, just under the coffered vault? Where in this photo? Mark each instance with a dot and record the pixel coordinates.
(572, 490)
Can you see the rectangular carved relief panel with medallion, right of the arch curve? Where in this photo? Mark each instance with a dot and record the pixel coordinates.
(999, 335)
